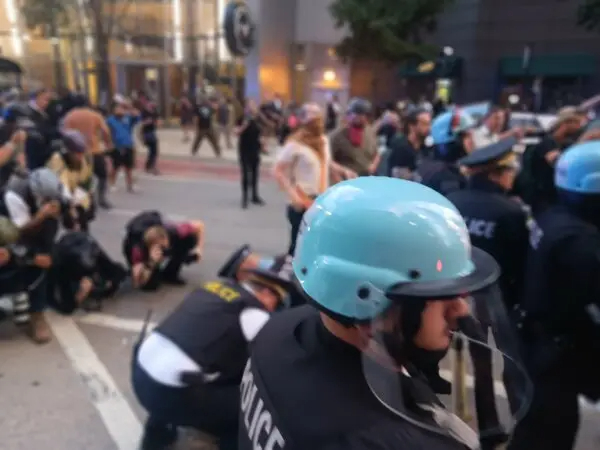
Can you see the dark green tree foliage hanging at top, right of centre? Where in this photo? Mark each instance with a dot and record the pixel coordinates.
(389, 30)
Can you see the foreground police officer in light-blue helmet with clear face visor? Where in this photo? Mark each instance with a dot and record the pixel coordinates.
(340, 373)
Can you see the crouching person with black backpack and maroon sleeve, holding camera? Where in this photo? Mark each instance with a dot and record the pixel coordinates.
(156, 250)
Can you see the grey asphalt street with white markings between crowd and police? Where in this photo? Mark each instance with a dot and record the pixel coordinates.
(74, 393)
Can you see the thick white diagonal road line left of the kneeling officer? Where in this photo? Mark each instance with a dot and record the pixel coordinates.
(119, 419)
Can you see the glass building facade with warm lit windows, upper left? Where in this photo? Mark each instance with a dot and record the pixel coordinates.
(160, 46)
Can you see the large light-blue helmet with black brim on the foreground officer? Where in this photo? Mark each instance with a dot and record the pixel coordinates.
(370, 241)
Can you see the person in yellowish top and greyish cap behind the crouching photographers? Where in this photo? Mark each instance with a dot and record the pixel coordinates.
(76, 176)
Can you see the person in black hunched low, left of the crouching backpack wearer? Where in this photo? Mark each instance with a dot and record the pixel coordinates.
(82, 273)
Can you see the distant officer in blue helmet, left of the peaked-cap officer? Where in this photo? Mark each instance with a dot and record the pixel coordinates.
(451, 133)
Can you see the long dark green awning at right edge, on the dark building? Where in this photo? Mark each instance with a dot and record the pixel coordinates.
(571, 65)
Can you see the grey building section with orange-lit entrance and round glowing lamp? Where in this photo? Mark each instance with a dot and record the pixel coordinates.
(294, 54)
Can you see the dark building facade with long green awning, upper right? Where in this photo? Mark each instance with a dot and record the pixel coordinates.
(531, 46)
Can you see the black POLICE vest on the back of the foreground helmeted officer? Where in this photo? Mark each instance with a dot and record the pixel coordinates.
(299, 392)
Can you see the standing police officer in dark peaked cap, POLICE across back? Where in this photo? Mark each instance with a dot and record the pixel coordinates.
(496, 222)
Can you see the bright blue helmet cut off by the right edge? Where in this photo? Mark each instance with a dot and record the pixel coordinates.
(578, 169)
